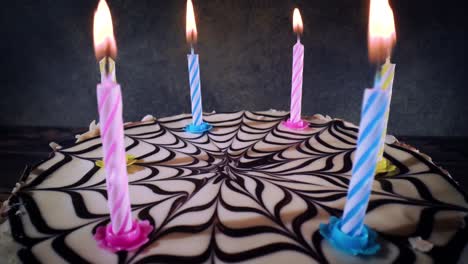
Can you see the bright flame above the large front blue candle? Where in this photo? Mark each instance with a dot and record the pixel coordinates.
(382, 36)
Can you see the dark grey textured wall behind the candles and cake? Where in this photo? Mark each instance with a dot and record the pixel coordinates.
(49, 74)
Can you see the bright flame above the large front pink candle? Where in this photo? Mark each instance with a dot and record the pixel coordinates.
(103, 32)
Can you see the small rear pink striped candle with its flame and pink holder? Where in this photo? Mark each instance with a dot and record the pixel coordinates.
(295, 121)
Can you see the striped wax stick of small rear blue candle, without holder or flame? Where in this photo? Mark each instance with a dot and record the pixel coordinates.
(195, 89)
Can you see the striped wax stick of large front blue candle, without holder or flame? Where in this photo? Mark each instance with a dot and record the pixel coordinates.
(370, 140)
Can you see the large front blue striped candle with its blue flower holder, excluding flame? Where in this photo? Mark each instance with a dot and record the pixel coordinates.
(349, 233)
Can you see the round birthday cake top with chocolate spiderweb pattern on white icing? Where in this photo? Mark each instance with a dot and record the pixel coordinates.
(250, 190)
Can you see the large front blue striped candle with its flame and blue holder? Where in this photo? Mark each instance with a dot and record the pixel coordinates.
(349, 233)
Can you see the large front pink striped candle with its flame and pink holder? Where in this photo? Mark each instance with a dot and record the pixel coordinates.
(122, 233)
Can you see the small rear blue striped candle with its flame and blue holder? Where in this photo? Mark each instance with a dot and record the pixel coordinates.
(197, 126)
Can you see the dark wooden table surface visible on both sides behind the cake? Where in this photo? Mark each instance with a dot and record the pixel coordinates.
(21, 146)
